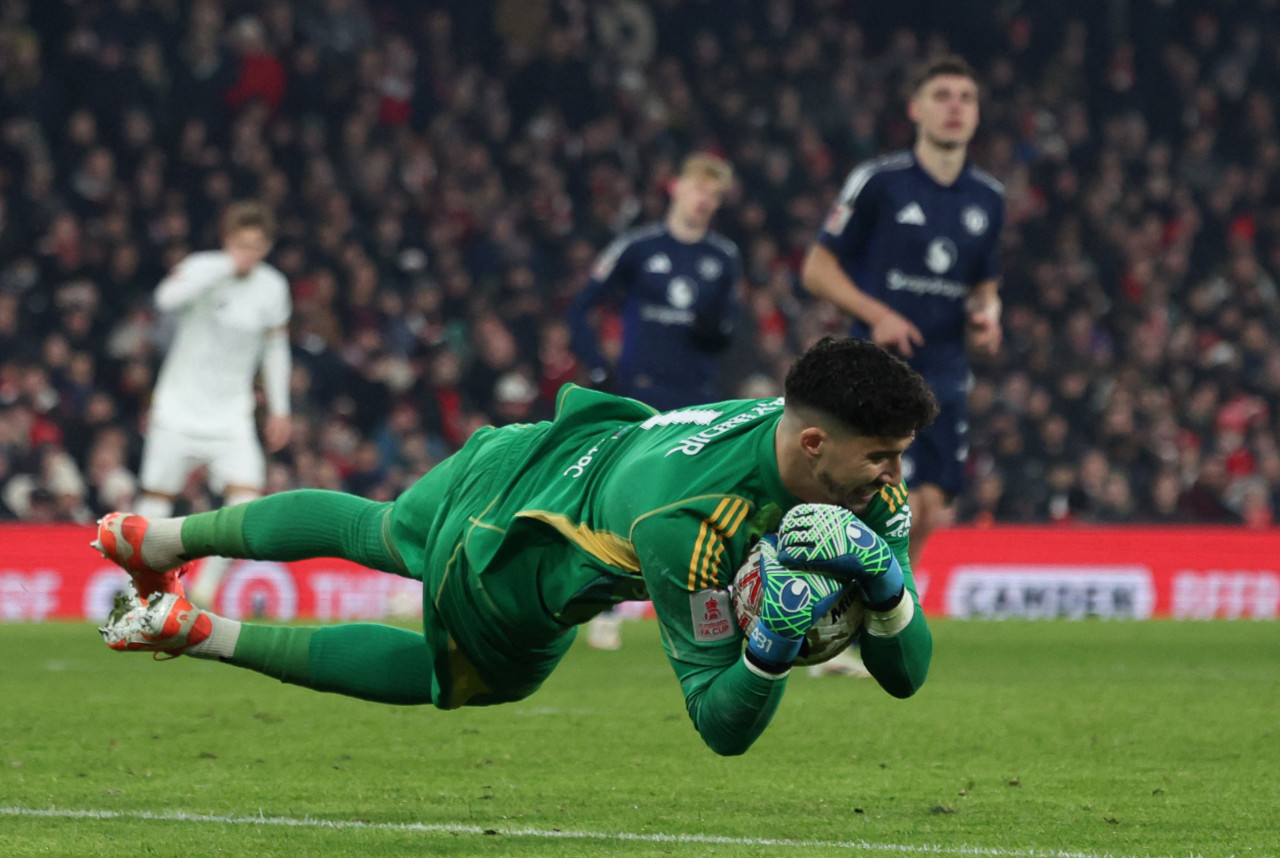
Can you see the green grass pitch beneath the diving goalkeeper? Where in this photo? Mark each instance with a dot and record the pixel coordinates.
(1080, 740)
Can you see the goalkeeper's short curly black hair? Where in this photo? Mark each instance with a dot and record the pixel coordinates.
(862, 387)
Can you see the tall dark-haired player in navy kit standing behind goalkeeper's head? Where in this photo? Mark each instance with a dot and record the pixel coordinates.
(912, 252)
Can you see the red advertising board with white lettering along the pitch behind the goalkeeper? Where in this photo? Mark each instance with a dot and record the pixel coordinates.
(1188, 573)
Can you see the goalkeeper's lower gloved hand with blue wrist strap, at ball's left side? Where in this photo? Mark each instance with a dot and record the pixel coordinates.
(790, 604)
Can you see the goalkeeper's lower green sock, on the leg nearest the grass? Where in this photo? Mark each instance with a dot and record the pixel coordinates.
(364, 660)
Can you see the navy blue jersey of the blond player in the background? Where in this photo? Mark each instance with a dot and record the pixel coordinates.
(678, 313)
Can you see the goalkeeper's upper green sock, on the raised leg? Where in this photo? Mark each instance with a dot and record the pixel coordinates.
(298, 526)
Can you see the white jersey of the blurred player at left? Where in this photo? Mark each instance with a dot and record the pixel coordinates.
(207, 382)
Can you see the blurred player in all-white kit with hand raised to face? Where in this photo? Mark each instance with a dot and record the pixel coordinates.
(234, 313)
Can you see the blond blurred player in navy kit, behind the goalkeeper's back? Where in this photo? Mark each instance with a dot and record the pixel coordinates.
(674, 285)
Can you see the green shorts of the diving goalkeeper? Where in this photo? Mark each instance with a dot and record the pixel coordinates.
(491, 638)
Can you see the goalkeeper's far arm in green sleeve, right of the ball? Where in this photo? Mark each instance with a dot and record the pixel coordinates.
(898, 645)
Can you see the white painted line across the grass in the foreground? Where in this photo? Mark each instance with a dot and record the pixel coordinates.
(550, 834)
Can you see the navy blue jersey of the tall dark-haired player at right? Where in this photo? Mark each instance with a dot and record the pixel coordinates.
(920, 248)
